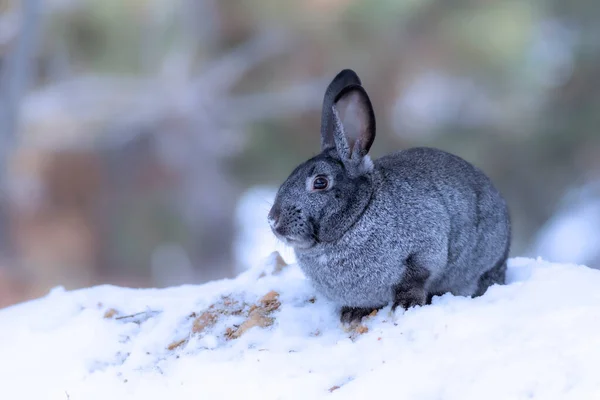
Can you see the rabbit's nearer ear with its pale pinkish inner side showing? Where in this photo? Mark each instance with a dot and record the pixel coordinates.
(354, 124)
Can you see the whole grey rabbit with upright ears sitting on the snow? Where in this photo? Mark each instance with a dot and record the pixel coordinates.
(402, 229)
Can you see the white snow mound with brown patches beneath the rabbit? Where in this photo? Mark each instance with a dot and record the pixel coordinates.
(538, 337)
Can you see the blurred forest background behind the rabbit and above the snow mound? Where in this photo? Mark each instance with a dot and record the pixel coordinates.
(141, 140)
